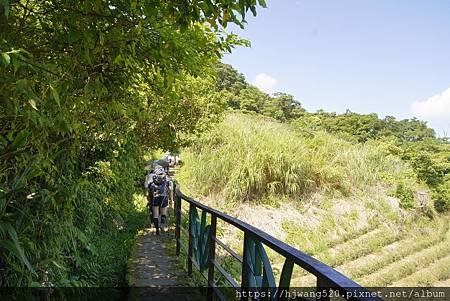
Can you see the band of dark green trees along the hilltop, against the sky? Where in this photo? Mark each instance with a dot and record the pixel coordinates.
(409, 139)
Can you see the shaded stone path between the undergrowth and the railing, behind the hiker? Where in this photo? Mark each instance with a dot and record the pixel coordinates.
(155, 273)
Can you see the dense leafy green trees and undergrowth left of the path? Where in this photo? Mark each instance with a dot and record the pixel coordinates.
(86, 89)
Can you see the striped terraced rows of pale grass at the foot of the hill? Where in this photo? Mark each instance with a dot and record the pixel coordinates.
(406, 256)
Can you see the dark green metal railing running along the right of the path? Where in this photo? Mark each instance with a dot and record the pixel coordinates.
(257, 273)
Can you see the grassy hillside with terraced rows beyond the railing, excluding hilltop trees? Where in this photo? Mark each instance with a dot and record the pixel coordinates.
(339, 201)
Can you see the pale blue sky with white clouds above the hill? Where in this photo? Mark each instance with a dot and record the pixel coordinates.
(391, 57)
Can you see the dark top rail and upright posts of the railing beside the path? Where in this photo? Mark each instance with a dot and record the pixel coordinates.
(254, 255)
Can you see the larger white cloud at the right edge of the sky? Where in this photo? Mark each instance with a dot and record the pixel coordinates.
(435, 107)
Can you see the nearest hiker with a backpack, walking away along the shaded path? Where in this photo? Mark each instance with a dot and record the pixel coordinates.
(158, 196)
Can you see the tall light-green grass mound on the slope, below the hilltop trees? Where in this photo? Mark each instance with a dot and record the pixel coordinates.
(249, 157)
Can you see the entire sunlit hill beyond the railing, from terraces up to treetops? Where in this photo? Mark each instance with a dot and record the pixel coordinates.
(351, 190)
